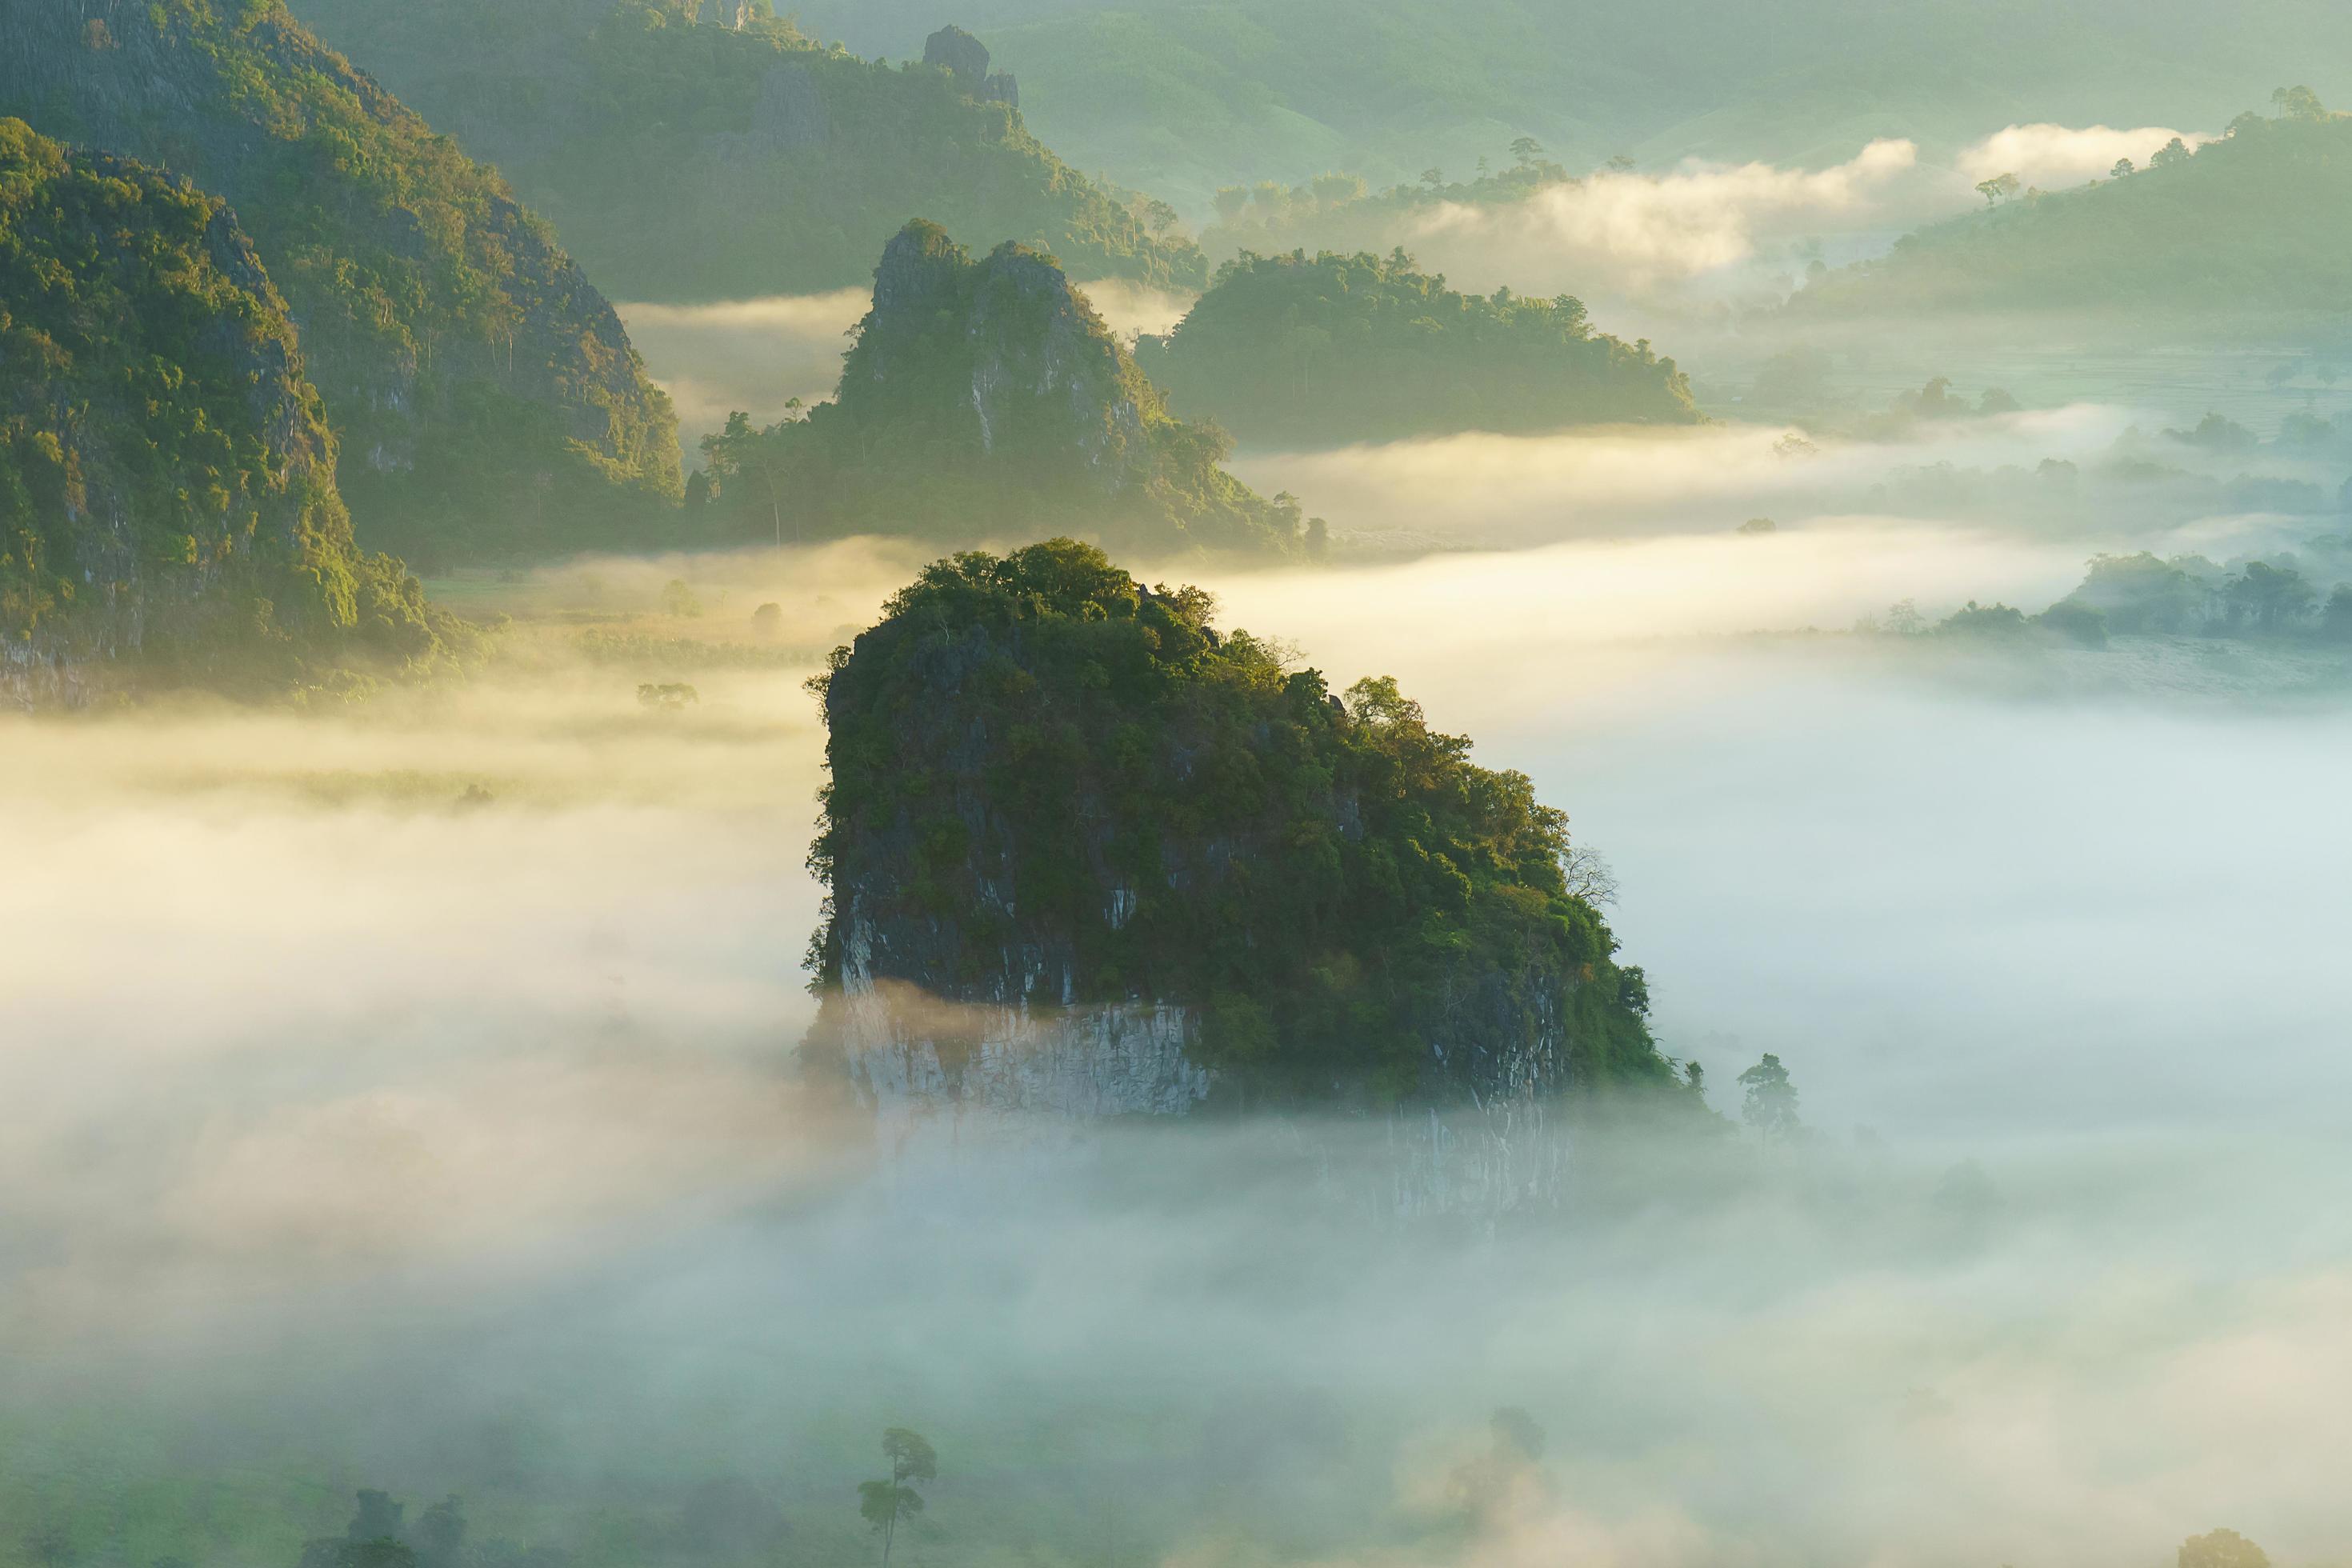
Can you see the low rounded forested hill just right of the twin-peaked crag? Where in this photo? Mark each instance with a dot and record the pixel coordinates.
(1342, 349)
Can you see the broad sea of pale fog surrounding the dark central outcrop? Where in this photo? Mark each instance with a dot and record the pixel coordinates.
(359, 1137)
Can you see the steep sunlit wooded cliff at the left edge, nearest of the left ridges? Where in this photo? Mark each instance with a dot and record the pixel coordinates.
(168, 502)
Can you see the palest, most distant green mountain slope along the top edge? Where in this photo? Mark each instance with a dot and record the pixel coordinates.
(1191, 95)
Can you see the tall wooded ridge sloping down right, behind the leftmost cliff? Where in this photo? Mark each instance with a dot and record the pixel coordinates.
(483, 391)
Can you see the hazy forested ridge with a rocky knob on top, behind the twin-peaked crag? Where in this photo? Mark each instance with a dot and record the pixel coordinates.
(697, 152)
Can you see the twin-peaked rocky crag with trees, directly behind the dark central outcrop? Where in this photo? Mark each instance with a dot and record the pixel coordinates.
(984, 398)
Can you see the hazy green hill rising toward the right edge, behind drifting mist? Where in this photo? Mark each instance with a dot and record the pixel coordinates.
(2250, 227)
